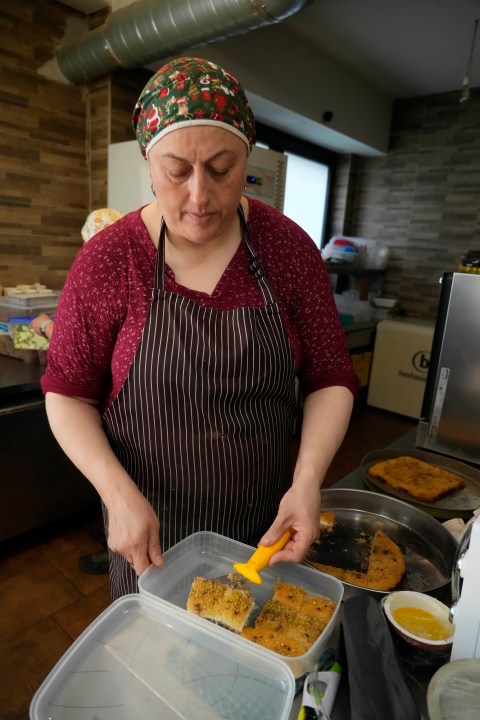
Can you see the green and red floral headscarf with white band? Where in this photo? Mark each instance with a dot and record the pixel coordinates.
(191, 91)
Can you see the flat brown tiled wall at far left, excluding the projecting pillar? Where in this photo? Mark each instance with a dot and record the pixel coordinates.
(43, 175)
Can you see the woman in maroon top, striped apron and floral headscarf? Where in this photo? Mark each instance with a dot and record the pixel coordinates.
(178, 337)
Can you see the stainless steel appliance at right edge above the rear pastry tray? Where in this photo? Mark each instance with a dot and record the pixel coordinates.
(450, 421)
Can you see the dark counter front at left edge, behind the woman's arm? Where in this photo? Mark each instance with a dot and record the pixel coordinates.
(39, 483)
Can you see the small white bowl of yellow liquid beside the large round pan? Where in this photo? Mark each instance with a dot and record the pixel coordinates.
(418, 601)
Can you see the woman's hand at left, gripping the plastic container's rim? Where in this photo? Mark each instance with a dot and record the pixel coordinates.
(134, 530)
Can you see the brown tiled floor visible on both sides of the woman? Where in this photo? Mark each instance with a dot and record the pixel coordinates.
(46, 601)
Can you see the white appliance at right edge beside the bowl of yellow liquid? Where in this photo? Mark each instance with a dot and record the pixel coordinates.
(465, 612)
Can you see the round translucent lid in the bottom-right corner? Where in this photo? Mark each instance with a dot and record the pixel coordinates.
(454, 691)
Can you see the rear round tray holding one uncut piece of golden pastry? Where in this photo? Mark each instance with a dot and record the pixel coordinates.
(443, 487)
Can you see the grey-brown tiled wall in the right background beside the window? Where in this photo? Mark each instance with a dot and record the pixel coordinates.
(422, 199)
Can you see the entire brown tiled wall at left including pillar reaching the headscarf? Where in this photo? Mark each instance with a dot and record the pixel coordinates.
(53, 144)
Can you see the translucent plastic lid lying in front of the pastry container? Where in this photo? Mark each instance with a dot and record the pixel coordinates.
(143, 659)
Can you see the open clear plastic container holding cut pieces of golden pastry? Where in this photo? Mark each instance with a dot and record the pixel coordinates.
(208, 557)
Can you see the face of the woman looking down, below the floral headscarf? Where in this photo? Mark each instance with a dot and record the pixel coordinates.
(198, 175)
